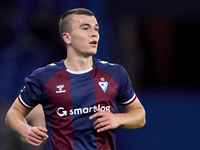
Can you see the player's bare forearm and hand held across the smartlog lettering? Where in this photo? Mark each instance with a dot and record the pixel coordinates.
(132, 118)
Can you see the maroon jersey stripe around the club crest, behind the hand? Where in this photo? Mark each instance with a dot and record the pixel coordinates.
(104, 140)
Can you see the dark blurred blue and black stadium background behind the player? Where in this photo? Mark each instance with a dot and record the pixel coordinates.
(156, 41)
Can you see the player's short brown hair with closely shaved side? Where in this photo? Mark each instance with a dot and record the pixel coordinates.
(66, 21)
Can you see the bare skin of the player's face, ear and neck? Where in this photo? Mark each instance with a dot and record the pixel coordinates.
(80, 48)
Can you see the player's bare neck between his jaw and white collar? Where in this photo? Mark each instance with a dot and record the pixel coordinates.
(78, 64)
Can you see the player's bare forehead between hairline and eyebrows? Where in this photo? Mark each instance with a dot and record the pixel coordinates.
(84, 19)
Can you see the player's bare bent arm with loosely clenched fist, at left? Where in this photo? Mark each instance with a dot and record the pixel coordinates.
(15, 119)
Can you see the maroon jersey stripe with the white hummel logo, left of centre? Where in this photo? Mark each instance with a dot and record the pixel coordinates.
(58, 89)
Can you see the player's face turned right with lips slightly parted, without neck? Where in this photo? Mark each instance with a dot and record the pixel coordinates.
(83, 38)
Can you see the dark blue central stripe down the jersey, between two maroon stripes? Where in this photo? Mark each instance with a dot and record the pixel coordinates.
(83, 100)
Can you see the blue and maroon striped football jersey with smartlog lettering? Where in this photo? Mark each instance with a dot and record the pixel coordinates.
(69, 98)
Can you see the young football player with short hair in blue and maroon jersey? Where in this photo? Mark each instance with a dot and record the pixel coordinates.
(79, 95)
